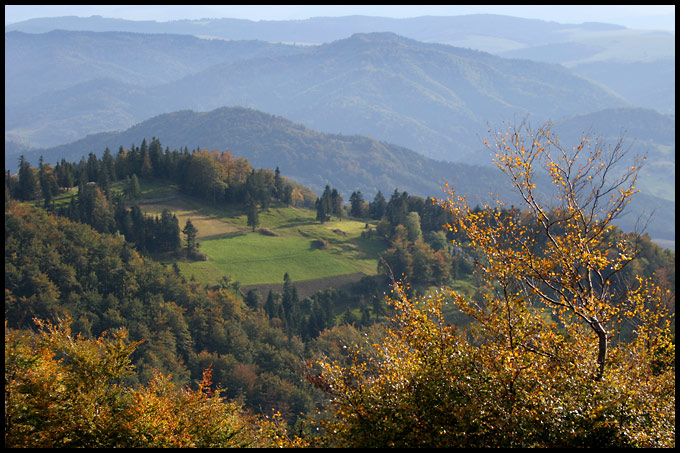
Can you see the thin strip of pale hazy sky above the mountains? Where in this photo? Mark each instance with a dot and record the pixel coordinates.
(658, 17)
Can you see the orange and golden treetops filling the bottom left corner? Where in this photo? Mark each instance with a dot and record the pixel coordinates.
(63, 390)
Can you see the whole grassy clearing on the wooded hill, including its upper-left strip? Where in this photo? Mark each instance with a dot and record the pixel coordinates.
(251, 258)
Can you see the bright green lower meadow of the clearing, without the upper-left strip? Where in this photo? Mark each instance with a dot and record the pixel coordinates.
(253, 258)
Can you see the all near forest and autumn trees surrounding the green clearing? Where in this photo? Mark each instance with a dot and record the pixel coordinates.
(283, 357)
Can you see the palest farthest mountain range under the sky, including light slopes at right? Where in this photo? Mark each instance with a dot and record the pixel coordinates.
(637, 64)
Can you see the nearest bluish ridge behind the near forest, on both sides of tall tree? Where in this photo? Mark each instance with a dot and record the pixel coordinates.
(355, 162)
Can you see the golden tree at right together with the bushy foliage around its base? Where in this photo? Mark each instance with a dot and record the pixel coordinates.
(542, 362)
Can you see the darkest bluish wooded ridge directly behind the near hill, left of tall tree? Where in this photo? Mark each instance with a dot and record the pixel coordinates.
(314, 159)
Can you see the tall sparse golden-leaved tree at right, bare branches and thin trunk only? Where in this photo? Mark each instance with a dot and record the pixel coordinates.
(572, 272)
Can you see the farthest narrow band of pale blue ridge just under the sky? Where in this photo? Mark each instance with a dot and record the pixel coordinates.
(507, 32)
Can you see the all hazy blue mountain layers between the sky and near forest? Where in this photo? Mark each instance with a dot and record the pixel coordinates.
(415, 83)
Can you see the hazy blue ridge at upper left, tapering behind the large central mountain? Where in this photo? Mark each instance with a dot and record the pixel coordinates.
(59, 59)
